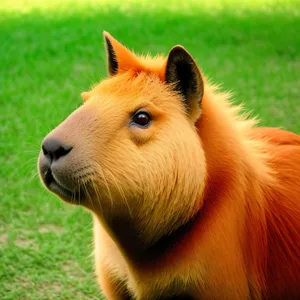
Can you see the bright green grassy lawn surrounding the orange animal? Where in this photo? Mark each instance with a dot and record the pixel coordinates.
(52, 50)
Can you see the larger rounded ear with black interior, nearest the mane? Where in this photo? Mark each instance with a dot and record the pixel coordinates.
(183, 74)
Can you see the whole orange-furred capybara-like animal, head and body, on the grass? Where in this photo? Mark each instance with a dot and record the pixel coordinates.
(190, 199)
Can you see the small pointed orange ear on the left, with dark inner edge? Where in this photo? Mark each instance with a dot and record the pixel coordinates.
(119, 58)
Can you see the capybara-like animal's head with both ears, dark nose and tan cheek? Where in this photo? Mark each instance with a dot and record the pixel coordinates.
(132, 149)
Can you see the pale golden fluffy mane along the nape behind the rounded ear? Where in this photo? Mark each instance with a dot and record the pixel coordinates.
(237, 119)
